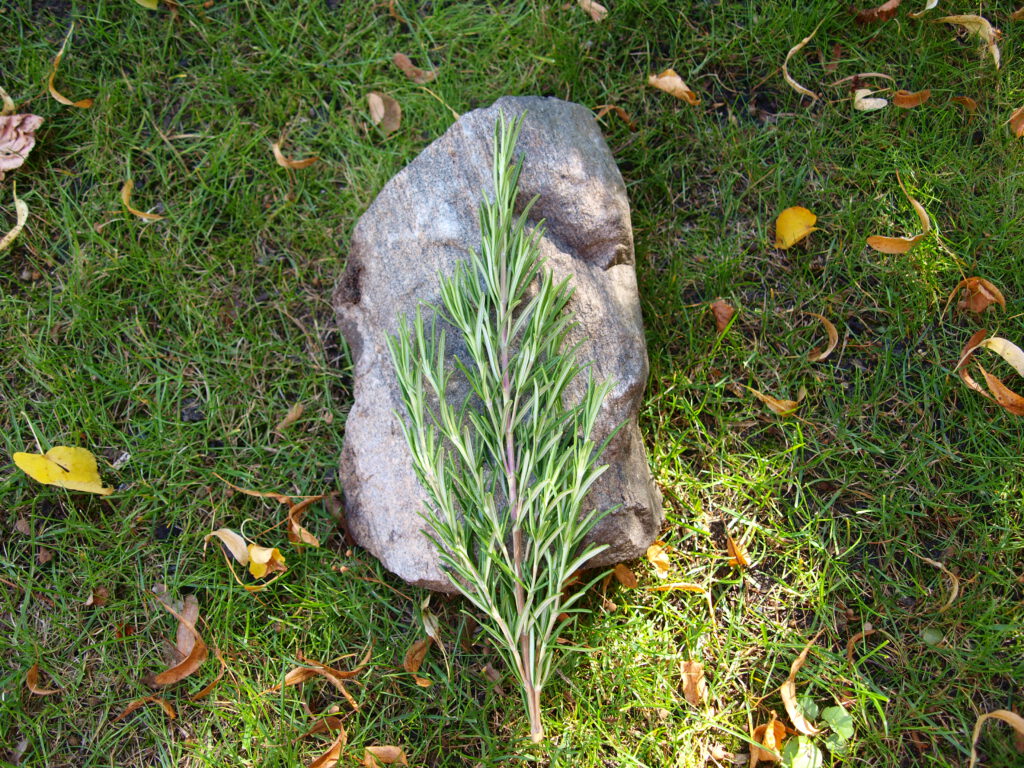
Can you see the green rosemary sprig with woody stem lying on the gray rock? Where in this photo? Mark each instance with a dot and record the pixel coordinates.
(507, 470)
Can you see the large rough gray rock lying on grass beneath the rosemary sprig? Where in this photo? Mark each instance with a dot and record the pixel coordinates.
(424, 222)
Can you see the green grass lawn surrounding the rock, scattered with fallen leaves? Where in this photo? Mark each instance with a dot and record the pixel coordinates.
(110, 327)
